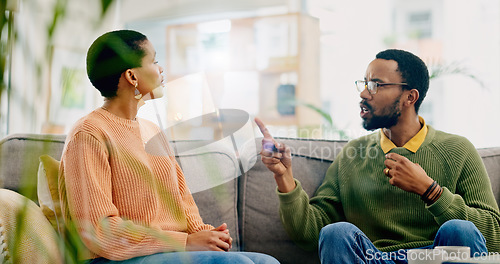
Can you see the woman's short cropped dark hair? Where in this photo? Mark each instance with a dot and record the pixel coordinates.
(112, 54)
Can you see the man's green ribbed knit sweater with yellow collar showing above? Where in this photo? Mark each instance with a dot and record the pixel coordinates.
(356, 190)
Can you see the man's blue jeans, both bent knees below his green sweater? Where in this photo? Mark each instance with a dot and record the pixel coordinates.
(345, 243)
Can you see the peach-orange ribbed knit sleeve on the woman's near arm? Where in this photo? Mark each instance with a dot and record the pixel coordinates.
(87, 178)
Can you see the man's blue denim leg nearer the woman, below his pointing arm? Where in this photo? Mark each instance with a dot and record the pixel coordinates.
(345, 243)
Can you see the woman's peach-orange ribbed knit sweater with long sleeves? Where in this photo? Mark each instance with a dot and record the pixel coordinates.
(124, 201)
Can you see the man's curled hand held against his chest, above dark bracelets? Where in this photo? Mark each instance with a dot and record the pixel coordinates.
(405, 174)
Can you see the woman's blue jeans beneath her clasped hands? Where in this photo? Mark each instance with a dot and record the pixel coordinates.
(195, 257)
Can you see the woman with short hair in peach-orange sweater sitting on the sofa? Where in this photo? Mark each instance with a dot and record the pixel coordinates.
(128, 205)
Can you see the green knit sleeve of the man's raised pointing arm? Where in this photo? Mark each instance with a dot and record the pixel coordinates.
(303, 218)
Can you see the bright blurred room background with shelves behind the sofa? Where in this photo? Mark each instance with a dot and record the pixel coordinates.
(293, 63)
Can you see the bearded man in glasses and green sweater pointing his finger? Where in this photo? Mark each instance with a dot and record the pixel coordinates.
(404, 186)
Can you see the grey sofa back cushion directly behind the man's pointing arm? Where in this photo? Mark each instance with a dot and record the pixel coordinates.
(261, 227)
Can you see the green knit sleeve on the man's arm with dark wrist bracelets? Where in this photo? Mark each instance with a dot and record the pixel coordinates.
(473, 200)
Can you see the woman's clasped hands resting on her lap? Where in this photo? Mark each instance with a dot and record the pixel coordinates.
(217, 239)
